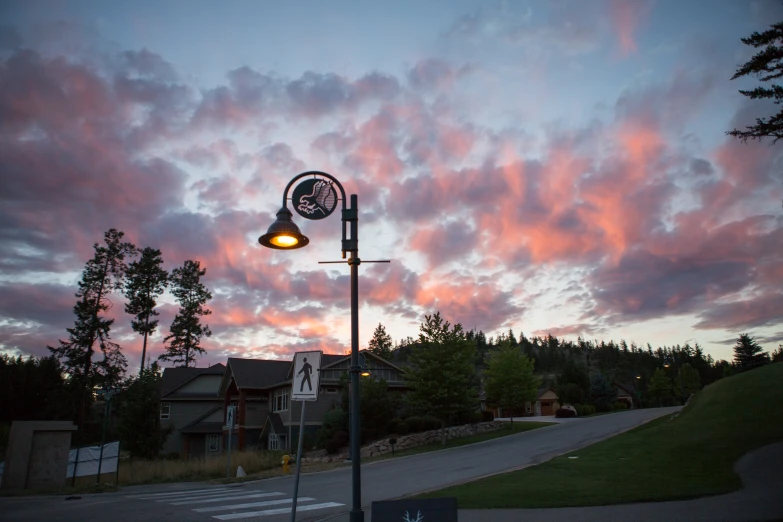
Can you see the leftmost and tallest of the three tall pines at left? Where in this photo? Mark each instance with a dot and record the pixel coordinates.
(102, 274)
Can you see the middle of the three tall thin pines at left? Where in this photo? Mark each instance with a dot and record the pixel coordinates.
(145, 281)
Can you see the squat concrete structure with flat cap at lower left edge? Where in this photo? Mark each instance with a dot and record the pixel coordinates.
(37, 454)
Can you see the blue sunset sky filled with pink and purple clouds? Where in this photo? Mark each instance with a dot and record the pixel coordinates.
(546, 167)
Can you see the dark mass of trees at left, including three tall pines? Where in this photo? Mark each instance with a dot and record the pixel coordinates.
(63, 385)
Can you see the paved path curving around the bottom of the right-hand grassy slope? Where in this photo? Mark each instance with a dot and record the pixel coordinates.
(761, 498)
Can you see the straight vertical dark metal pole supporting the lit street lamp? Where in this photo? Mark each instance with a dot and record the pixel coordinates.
(357, 515)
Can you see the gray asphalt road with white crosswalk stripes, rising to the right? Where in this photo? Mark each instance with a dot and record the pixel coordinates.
(328, 494)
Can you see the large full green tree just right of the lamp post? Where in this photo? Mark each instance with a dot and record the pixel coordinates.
(441, 376)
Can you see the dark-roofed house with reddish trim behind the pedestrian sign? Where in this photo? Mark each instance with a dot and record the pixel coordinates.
(261, 390)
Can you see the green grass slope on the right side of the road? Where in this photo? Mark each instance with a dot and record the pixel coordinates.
(679, 456)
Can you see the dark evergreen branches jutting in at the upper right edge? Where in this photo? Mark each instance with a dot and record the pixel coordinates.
(766, 65)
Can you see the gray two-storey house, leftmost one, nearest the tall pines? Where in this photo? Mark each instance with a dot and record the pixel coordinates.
(191, 406)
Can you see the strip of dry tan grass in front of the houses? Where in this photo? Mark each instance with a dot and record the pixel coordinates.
(155, 471)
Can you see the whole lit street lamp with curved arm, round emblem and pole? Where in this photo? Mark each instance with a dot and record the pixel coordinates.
(316, 198)
